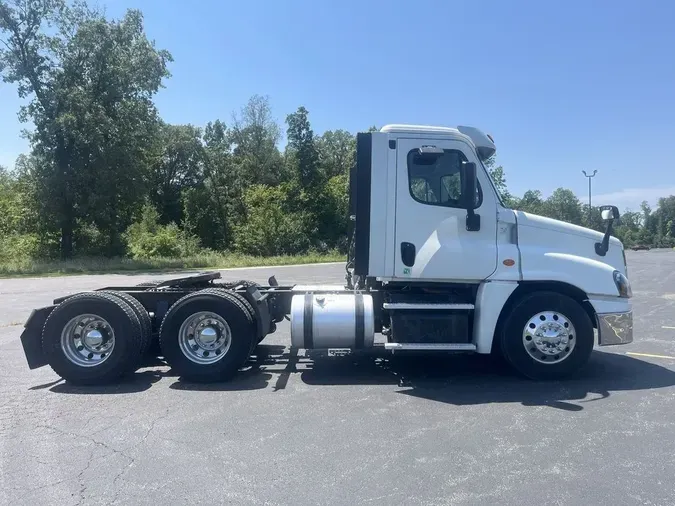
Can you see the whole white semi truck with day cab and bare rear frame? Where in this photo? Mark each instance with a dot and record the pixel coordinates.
(437, 263)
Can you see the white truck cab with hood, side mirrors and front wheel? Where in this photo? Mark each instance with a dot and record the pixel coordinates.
(428, 219)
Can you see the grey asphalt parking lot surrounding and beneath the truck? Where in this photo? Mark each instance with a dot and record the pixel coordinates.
(345, 430)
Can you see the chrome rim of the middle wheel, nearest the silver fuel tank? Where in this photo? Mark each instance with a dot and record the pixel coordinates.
(204, 338)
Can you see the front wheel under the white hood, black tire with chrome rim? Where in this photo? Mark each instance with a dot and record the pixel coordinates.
(564, 353)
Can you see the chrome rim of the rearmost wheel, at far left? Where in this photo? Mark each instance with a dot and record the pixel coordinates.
(87, 340)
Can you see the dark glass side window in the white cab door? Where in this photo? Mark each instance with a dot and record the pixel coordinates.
(438, 182)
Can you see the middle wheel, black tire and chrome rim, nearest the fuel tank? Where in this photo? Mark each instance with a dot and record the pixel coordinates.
(232, 323)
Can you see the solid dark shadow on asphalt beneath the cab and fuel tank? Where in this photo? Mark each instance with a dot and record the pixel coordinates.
(471, 380)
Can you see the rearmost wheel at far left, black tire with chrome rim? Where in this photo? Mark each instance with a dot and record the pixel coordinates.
(67, 358)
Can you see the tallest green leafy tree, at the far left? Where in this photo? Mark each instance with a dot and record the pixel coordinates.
(89, 84)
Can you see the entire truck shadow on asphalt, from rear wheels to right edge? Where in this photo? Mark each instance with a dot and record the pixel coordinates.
(452, 379)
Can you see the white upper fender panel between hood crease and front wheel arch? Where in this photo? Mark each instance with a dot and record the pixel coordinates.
(591, 276)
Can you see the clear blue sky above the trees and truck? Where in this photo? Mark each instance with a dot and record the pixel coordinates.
(562, 86)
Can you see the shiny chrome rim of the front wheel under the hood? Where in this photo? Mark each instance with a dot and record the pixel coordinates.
(549, 337)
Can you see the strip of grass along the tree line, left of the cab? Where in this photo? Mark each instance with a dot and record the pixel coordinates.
(212, 260)
